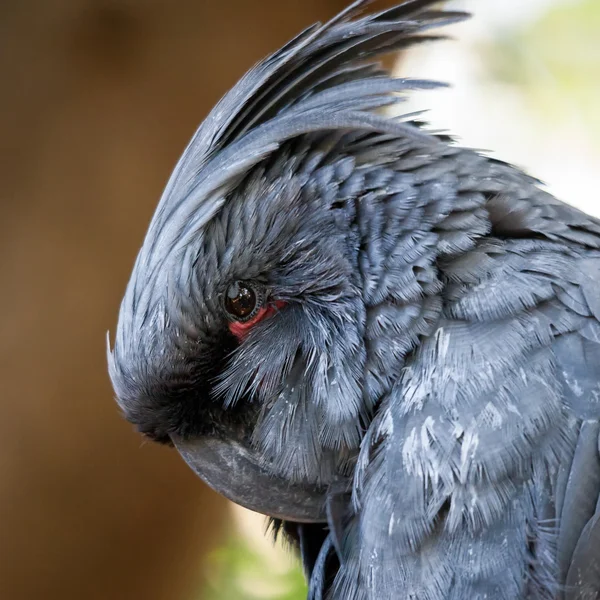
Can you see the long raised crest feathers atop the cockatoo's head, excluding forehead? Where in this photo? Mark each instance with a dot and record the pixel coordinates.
(298, 89)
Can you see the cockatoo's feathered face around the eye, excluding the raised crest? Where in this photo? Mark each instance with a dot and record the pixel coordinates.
(244, 342)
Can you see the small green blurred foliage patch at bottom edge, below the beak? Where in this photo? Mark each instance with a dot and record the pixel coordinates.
(237, 572)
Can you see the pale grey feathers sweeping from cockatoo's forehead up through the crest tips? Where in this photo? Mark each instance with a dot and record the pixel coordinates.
(325, 79)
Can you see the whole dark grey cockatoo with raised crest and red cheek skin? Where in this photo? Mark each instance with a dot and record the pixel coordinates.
(386, 342)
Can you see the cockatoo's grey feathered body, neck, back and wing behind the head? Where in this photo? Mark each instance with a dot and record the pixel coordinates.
(480, 474)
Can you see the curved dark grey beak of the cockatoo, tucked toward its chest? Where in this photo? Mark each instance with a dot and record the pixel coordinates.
(233, 469)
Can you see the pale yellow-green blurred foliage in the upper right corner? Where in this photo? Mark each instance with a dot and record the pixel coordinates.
(555, 62)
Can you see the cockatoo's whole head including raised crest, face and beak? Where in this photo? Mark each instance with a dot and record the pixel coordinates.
(241, 333)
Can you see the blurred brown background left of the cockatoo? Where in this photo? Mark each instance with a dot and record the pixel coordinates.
(98, 98)
